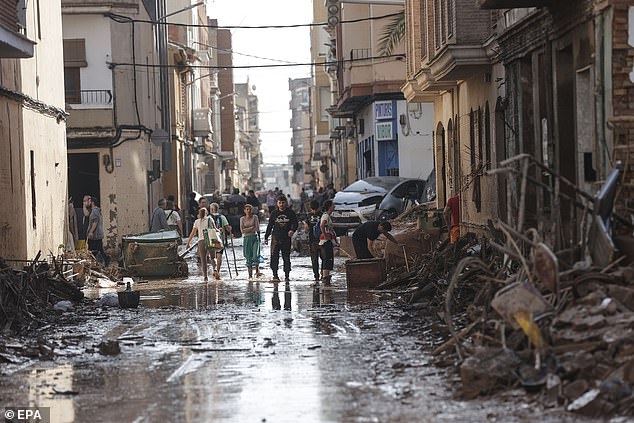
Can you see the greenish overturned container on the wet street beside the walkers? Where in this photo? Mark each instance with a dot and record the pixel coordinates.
(153, 254)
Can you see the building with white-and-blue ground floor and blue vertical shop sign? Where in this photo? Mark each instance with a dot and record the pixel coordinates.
(388, 136)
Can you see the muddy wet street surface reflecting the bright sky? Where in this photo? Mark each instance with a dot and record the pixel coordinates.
(236, 350)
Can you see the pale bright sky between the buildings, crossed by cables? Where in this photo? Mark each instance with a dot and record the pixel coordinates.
(271, 84)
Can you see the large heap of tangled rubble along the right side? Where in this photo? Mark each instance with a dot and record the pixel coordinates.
(518, 312)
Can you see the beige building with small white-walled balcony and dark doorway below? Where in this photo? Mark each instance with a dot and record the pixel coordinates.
(114, 106)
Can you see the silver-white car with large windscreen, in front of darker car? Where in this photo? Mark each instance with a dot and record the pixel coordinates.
(357, 202)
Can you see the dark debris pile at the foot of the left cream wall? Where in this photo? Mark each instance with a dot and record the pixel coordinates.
(27, 295)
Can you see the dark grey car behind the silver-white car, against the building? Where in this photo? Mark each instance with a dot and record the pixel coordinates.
(406, 194)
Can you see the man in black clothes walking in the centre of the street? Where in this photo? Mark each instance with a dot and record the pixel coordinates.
(281, 227)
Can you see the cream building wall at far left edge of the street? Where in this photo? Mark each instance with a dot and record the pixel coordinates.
(33, 130)
